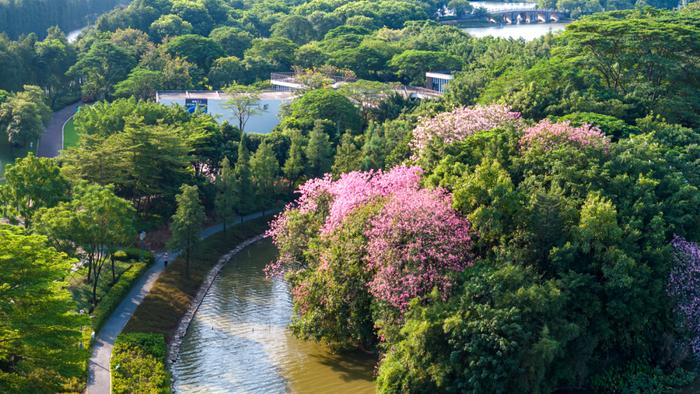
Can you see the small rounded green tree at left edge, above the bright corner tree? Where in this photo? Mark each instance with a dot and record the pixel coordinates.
(30, 184)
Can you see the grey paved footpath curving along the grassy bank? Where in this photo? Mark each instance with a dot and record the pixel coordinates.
(99, 379)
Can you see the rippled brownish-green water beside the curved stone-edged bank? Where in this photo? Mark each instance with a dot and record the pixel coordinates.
(239, 342)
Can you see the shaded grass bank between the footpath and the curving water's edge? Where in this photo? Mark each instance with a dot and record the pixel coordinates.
(172, 294)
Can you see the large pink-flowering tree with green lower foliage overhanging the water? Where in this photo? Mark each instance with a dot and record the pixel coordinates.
(366, 237)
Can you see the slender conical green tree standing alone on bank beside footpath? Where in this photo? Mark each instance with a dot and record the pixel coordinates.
(187, 223)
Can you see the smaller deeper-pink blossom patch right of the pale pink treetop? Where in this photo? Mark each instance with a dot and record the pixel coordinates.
(550, 135)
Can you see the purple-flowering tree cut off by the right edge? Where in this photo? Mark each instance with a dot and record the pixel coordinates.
(684, 287)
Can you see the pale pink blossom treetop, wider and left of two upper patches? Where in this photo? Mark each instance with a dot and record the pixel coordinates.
(460, 123)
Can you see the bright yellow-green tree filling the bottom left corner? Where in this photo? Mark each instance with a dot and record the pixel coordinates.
(40, 332)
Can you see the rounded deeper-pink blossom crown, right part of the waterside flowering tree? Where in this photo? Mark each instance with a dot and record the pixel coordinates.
(414, 243)
